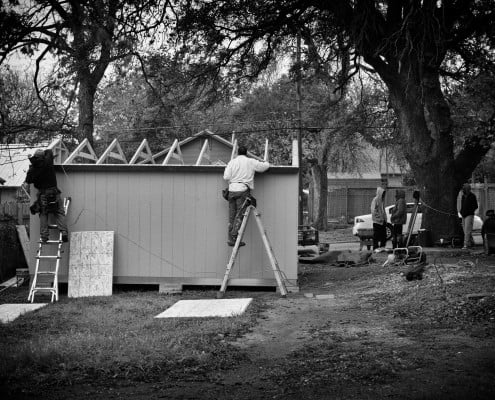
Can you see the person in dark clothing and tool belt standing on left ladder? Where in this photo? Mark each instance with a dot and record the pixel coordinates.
(42, 175)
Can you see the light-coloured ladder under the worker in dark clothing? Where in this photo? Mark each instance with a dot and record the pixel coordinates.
(45, 278)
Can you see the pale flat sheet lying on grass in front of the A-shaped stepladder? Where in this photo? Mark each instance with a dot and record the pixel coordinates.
(206, 308)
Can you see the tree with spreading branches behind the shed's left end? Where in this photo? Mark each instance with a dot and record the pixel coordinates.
(82, 36)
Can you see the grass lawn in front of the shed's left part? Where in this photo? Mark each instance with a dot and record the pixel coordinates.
(112, 337)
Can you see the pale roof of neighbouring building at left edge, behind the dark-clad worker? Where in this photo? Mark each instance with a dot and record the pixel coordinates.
(14, 163)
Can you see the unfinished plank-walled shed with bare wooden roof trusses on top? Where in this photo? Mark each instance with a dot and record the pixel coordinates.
(170, 220)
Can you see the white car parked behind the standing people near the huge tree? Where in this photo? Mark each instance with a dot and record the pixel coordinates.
(363, 224)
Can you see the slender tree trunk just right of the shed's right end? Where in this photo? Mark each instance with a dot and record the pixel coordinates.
(320, 195)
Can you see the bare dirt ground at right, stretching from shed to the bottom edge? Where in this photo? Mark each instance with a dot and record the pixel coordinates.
(351, 333)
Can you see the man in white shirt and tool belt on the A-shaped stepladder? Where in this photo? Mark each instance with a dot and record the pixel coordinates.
(240, 174)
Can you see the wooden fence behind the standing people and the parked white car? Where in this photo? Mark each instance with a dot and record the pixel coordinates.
(346, 203)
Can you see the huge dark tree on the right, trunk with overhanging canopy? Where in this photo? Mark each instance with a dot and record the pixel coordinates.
(409, 44)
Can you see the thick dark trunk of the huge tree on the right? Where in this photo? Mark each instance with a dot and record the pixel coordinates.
(426, 133)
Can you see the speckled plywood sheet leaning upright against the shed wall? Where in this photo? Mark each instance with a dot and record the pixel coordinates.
(91, 263)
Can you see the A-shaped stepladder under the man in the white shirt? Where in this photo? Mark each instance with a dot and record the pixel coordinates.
(273, 261)
